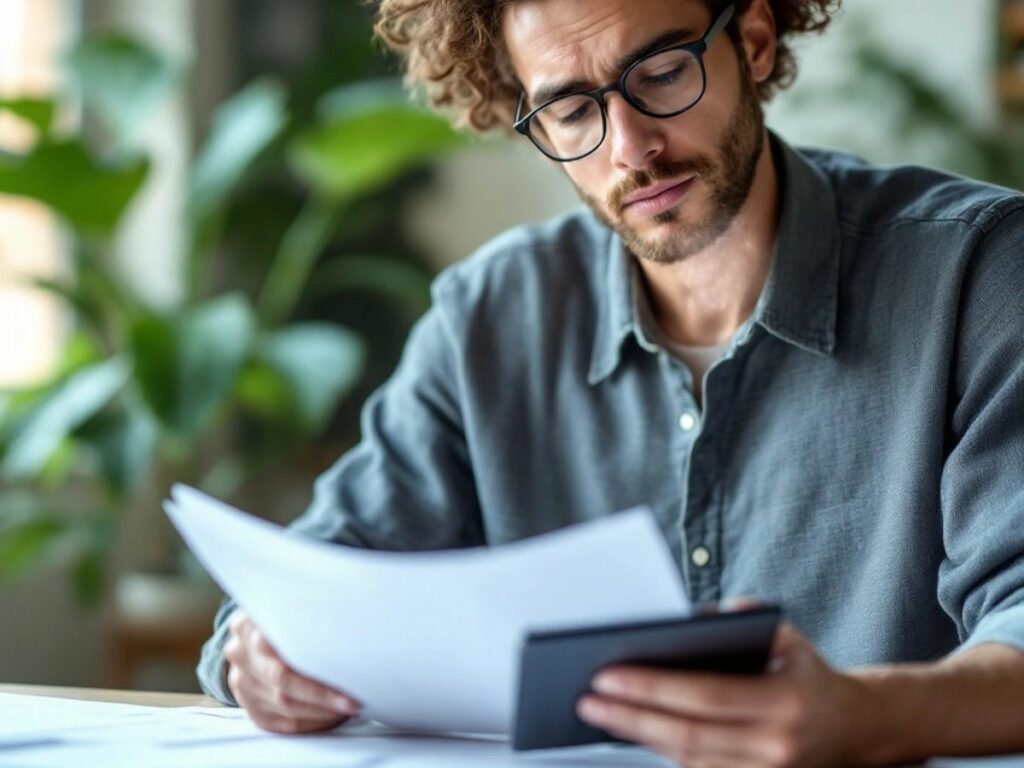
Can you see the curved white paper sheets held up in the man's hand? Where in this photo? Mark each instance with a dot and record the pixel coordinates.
(429, 642)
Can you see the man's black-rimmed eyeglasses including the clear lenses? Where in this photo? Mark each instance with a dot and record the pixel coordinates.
(662, 84)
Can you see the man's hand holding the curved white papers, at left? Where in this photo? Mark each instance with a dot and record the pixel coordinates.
(277, 698)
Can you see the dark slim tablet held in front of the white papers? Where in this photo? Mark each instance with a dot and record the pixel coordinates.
(557, 668)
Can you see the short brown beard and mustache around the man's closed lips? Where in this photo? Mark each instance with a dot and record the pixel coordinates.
(730, 181)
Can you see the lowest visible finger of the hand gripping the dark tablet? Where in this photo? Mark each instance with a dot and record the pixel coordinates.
(681, 740)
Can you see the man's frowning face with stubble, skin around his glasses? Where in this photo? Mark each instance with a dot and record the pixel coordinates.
(670, 187)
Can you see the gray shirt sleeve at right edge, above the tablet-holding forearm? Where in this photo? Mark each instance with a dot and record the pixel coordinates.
(982, 580)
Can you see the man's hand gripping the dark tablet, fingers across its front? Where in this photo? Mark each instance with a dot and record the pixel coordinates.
(801, 713)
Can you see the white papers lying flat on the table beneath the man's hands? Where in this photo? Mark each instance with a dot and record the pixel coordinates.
(44, 733)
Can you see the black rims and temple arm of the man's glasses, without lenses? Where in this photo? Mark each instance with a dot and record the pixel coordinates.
(698, 49)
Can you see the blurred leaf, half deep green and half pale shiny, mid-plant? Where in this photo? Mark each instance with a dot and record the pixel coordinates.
(187, 368)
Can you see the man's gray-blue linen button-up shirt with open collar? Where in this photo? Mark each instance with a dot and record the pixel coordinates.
(860, 457)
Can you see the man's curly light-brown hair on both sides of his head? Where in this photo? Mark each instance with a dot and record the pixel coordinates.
(455, 51)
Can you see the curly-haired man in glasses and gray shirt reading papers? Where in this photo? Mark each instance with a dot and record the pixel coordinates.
(810, 368)
